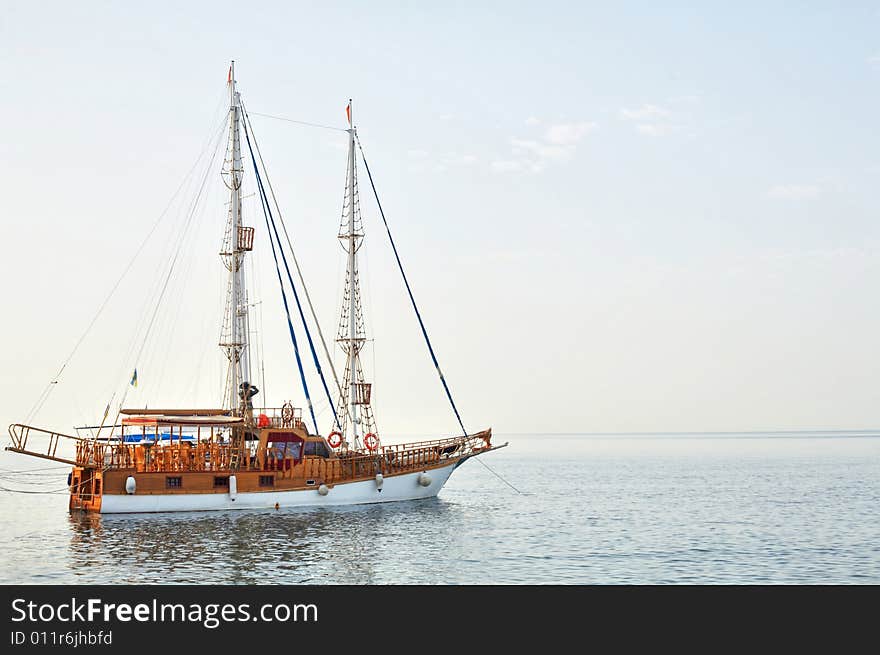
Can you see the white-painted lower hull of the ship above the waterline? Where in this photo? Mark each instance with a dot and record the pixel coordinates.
(404, 486)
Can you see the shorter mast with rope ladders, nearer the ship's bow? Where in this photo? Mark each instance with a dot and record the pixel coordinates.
(351, 336)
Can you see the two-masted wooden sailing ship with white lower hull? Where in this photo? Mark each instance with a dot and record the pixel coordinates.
(242, 456)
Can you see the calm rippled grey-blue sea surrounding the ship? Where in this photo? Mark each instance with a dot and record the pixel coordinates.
(635, 509)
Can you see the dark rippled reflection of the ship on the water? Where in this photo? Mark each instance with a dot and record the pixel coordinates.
(359, 544)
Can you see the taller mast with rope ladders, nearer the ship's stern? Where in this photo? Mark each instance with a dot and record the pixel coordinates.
(237, 240)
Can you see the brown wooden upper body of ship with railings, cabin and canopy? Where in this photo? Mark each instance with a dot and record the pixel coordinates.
(211, 451)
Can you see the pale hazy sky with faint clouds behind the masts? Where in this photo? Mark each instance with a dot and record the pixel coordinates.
(615, 218)
